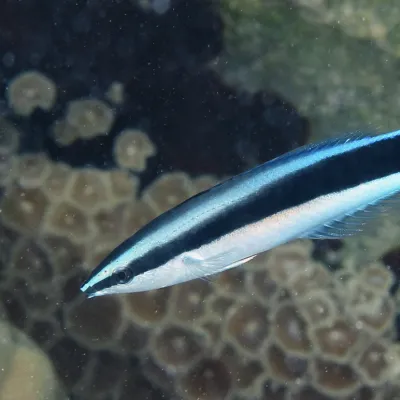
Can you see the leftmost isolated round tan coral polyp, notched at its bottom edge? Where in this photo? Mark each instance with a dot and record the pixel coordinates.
(31, 90)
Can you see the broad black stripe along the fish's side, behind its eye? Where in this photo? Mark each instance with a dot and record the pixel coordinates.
(334, 174)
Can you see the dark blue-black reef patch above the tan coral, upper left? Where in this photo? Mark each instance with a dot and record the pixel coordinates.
(160, 79)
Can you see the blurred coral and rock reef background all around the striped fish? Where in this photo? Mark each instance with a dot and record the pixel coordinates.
(112, 113)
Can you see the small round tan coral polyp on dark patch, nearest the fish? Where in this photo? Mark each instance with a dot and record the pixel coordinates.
(132, 148)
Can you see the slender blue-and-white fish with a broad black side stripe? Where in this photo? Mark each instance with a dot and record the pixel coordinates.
(327, 190)
